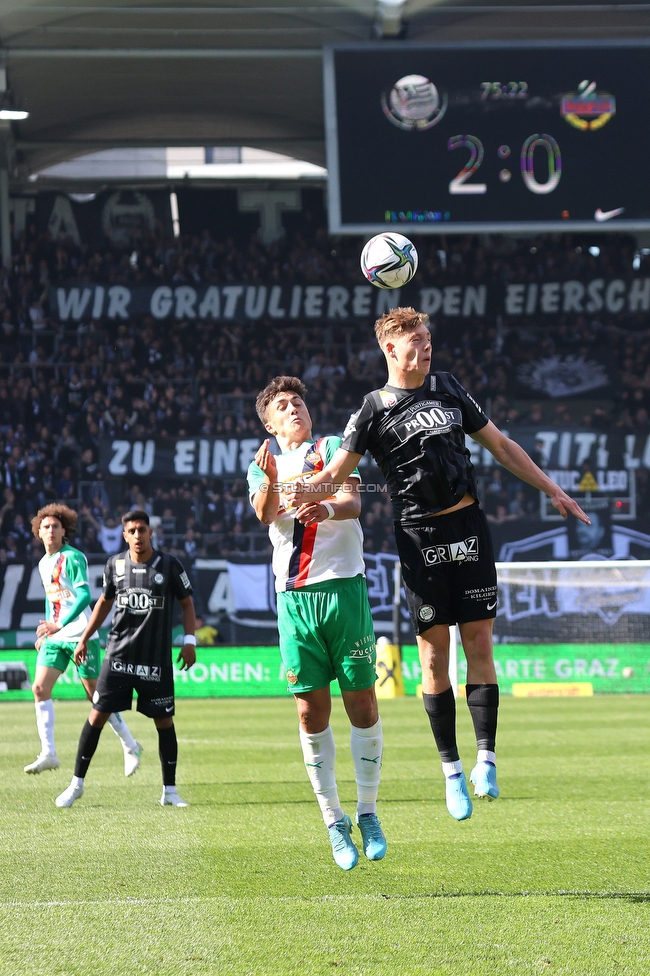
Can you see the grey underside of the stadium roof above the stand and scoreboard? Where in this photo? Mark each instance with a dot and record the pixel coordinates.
(97, 77)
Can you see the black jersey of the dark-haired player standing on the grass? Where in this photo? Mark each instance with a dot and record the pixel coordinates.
(143, 594)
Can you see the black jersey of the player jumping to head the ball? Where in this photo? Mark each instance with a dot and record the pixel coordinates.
(417, 437)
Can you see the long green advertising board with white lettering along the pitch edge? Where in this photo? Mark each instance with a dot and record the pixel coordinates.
(254, 672)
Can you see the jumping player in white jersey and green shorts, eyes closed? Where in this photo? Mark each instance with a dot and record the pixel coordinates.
(324, 618)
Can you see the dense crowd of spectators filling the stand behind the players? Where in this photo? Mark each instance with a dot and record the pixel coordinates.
(64, 387)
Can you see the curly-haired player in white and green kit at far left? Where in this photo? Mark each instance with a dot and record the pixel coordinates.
(64, 571)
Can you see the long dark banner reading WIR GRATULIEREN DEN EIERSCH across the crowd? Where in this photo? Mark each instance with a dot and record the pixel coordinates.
(249, 301)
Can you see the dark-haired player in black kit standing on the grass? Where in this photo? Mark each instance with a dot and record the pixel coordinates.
(143, 584)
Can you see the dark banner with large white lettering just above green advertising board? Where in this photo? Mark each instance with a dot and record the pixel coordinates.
(235, 598)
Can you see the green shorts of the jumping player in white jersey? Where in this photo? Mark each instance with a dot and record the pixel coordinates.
(326, 632)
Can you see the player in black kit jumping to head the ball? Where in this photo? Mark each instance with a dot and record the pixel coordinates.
(415, 429)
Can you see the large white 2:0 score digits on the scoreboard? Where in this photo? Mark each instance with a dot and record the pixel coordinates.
(459, 184)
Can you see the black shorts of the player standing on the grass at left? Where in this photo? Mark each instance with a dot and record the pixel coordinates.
(117, 681)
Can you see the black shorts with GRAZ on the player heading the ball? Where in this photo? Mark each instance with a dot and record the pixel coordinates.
(448, 568)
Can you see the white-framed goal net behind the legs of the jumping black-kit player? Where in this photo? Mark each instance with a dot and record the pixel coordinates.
(581, 626)
